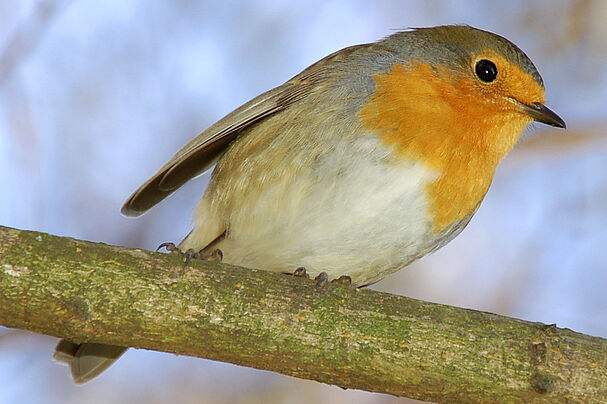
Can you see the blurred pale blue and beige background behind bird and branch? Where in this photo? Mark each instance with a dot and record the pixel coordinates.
(96, 96)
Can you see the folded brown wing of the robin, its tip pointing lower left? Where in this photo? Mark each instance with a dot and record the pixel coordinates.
(203, 151)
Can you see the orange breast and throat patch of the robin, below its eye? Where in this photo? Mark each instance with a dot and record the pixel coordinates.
(445, 121)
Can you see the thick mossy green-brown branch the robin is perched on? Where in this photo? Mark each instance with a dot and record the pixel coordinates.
(362, 339)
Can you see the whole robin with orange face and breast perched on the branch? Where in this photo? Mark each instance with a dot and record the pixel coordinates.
(364, 162)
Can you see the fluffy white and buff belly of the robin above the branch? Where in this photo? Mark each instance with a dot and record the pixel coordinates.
(360, 215)
